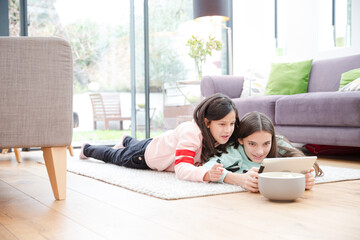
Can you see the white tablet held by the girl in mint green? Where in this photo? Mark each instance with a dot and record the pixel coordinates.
(288, 164)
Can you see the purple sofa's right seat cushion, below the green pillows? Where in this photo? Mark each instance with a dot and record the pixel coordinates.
(319, 109)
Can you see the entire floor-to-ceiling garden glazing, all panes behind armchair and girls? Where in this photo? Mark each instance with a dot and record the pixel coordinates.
(100, 37)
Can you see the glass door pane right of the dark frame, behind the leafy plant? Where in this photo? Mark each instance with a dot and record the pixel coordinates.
(174, 83)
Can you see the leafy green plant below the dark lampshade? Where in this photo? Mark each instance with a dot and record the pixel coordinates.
(199, 49)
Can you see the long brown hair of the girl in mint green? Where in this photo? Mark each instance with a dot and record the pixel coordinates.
(254, 122)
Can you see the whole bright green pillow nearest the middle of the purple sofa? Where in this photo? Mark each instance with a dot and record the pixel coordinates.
(289, 78)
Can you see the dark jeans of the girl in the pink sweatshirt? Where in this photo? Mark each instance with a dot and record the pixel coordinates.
(131, 156)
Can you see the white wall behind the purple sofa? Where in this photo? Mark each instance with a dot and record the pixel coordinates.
(254, 42)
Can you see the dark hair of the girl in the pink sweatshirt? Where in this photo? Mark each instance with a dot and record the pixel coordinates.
(212, 108)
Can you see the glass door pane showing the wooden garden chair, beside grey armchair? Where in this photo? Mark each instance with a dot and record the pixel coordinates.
(98, 33)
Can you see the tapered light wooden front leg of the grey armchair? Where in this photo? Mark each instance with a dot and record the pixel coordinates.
(55, 161)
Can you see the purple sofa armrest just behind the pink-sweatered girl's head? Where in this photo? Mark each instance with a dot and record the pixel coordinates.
(229, 85)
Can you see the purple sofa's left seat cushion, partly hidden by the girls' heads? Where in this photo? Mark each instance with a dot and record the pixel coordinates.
(264, 104)
